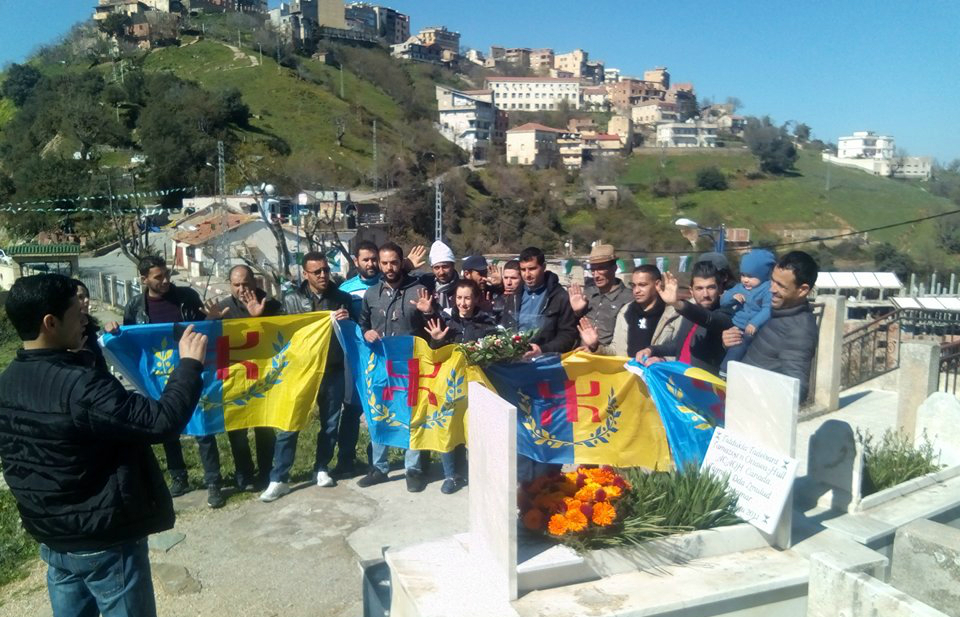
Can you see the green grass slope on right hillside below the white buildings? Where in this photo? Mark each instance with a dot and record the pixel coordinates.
(855, 199)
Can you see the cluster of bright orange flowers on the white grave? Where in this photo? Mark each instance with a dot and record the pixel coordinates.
(575, 506)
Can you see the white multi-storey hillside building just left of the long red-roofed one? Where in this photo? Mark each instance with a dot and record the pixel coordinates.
(467, 119)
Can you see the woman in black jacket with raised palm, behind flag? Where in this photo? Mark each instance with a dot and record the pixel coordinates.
(466, 323)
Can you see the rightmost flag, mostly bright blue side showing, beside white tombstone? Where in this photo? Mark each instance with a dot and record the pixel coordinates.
(691, 403)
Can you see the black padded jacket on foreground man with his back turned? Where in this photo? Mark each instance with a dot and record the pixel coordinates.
(75, 447)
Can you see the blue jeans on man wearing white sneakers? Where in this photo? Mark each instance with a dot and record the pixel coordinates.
(330, 404)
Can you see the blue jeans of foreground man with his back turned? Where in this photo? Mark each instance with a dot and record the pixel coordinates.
(115, 582)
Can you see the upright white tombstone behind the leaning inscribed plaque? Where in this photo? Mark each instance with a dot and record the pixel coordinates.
(762, 407)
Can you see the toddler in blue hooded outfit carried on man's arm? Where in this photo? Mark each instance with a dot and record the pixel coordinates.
(749, 300)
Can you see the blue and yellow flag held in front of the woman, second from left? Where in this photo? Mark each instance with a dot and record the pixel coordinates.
(413, 396)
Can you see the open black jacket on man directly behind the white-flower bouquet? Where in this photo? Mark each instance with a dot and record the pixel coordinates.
(558, 330)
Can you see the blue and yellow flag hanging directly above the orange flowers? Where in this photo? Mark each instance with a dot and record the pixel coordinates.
(582, 409)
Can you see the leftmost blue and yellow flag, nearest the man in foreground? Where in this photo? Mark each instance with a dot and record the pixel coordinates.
(258, 371)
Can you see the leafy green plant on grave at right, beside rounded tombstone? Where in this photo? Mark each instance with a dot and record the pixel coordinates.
(895, 459)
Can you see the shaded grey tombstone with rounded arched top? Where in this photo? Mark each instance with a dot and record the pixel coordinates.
(835, 464)
